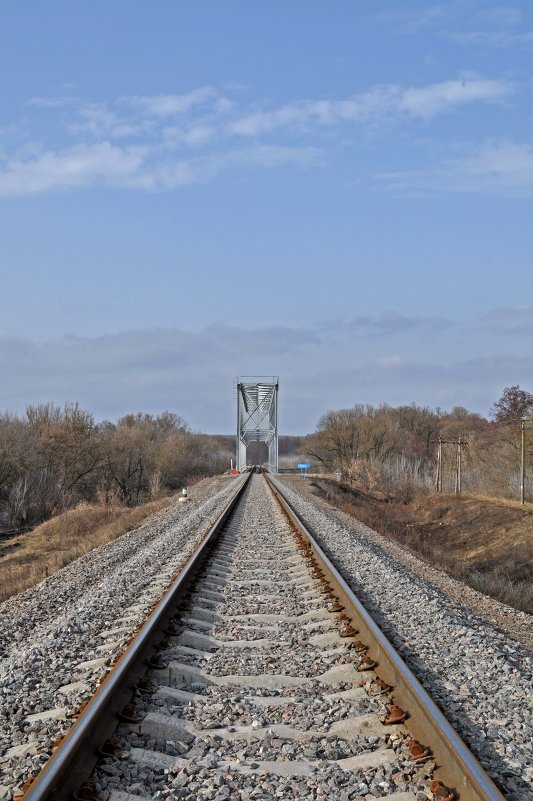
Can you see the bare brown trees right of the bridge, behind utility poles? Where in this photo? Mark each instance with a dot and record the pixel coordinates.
(393, 450)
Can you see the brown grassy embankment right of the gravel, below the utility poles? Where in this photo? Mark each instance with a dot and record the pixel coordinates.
(484, 542)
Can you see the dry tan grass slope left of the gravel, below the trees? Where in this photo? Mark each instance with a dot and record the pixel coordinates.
(29, 558)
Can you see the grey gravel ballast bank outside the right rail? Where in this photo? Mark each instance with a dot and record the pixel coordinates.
(478, 675)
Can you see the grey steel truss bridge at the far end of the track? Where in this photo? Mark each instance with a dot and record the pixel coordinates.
(257, 417)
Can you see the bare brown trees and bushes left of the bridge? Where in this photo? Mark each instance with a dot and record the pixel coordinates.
(52, 458)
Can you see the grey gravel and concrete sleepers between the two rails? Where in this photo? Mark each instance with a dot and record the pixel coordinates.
(259, 696)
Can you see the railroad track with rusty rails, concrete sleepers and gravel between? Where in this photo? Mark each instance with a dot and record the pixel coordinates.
(259, 675)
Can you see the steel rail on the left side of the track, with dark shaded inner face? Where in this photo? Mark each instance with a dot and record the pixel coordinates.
(72, 763)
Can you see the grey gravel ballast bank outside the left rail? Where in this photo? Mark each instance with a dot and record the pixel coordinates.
(58, 638)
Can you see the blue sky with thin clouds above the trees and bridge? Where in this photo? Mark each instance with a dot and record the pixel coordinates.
(195, 190)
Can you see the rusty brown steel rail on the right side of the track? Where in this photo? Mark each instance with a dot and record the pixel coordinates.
(457, 767)
